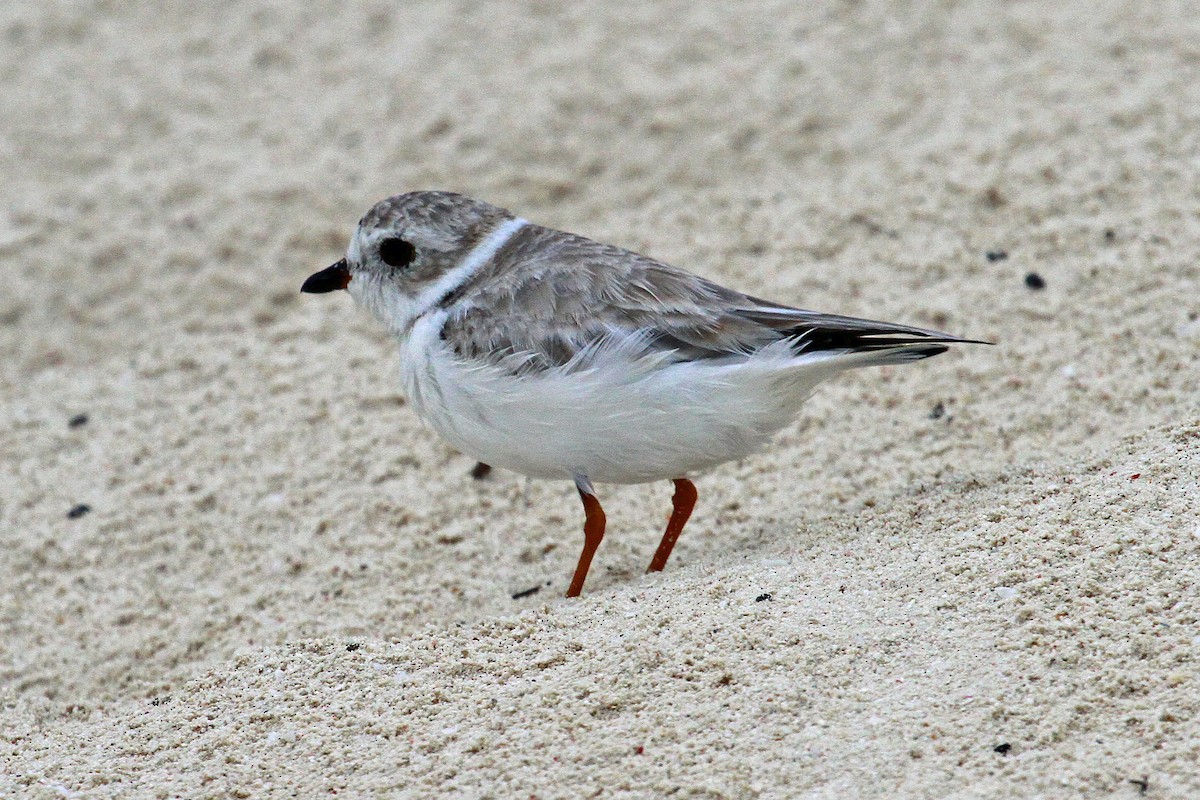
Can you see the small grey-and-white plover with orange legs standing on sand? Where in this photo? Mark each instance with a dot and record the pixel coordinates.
(561, 358)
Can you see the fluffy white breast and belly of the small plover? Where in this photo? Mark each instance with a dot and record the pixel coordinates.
(616, 422)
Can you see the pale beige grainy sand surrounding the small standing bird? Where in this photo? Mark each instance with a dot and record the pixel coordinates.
(286, 586)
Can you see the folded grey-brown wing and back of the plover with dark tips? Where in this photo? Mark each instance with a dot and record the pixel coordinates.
(551, 297)
